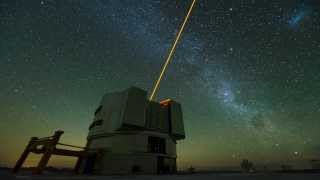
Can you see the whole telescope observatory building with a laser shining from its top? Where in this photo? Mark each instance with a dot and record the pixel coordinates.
(130, 134)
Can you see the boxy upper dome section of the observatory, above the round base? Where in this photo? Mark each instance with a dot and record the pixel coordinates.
(131, 109)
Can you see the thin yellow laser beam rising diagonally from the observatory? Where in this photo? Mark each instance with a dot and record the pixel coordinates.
(156, 86)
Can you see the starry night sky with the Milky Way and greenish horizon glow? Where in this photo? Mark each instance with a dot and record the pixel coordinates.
(247, 73)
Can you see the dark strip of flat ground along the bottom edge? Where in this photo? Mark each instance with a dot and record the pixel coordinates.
(201, 176)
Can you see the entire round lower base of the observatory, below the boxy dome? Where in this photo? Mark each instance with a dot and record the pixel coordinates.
(132, 153)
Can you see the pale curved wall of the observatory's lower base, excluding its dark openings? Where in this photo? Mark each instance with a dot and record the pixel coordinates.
(119, 153)
